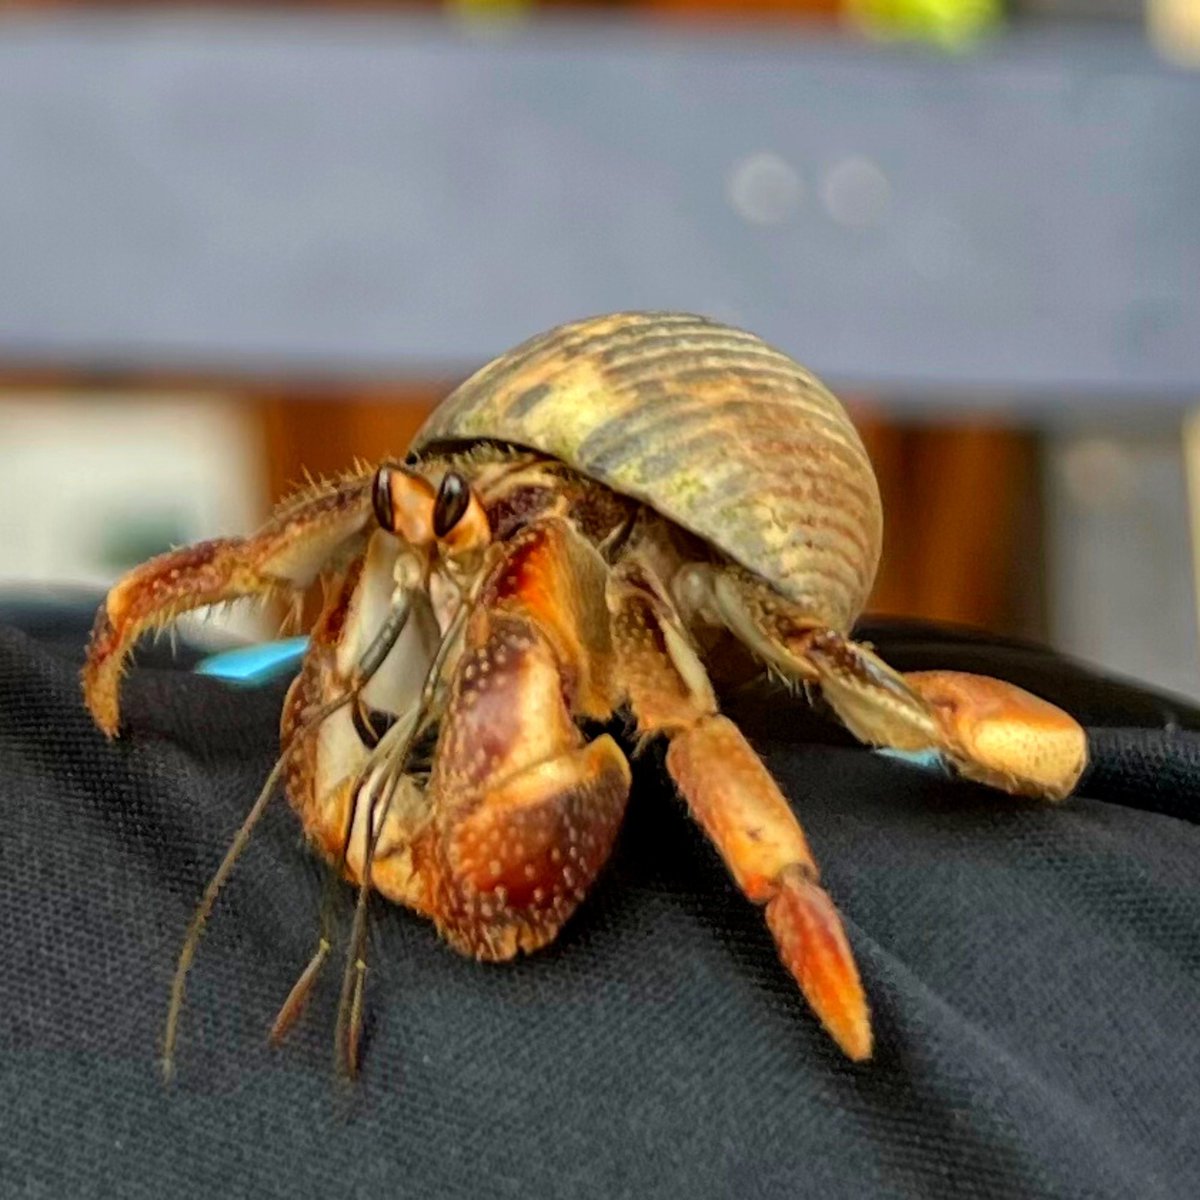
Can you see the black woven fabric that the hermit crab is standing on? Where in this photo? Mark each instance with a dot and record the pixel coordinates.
(1034, 971)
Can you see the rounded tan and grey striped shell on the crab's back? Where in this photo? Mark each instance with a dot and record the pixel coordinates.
(709, 425)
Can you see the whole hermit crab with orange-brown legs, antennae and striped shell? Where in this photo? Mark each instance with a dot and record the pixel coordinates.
(590, 526)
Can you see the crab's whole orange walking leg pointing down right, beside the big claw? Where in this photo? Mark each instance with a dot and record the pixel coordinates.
(736, 802)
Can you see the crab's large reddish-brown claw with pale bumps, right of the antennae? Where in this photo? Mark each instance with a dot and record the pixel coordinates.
(525, 809)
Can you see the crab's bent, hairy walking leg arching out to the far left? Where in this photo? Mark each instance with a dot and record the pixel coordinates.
(283, 559)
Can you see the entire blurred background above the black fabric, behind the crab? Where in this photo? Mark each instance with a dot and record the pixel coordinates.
(243, 243)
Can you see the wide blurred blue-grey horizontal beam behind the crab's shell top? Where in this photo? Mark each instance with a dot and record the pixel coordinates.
(383, 197)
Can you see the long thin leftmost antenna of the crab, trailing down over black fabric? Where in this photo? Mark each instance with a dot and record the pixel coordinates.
(377, 651)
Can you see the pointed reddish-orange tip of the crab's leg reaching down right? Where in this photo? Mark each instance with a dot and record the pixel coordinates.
(814, 947)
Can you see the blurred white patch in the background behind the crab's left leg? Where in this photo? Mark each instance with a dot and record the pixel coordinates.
(93, 485)
